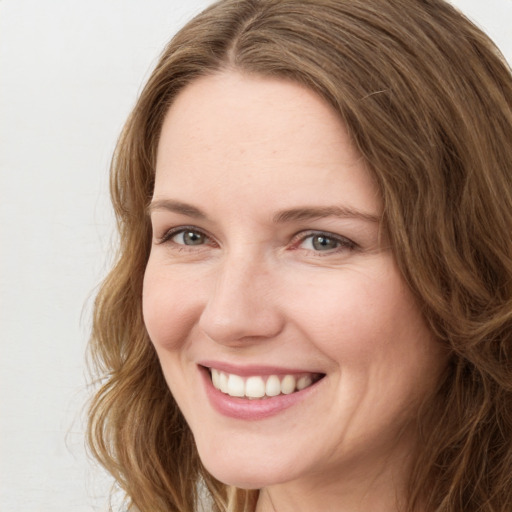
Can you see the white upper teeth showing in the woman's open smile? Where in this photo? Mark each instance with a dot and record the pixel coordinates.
(261, 387)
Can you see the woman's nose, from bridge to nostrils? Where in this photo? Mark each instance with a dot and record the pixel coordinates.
(242, 306)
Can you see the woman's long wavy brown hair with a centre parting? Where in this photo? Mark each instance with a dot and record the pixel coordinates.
(427, 100)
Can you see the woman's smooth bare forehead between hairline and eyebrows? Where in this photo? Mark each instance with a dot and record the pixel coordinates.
(245, 135)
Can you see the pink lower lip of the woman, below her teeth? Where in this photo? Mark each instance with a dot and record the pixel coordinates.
(257, 409)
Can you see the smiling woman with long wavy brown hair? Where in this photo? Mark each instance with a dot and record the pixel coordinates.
(311, 308)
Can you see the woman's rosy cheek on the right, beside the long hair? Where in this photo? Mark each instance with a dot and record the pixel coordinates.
(367, 321)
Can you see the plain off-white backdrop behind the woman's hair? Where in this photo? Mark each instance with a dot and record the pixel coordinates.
(70, 72)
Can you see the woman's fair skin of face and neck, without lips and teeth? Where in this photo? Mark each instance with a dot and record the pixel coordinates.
(253, 291)
